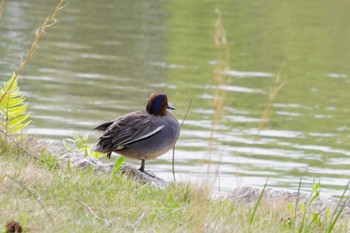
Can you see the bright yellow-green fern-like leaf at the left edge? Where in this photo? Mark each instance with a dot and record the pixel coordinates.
(12, 107)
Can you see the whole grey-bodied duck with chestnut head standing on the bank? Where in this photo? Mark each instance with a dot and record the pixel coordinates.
(142, 135)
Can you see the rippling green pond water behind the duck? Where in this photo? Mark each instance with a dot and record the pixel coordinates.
(104, 58)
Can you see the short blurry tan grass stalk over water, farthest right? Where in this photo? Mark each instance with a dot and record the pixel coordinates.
(276, 87)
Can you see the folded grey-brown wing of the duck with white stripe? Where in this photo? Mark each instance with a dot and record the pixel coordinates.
(129, 129)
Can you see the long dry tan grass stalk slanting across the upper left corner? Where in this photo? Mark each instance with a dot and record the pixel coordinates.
(48, 22)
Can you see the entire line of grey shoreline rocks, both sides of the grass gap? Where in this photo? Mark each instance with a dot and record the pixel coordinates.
(242, 194)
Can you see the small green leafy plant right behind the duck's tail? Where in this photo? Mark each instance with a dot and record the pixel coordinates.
(80, 144)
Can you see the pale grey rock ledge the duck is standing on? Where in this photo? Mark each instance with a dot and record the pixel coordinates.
(79, 160)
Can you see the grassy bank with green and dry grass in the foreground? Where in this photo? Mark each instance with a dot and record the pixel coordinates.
(45, 199)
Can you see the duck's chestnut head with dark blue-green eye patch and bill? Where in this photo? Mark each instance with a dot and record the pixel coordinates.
(158, 104)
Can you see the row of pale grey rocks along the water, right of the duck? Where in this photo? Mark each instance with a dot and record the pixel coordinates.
(275, 198)
